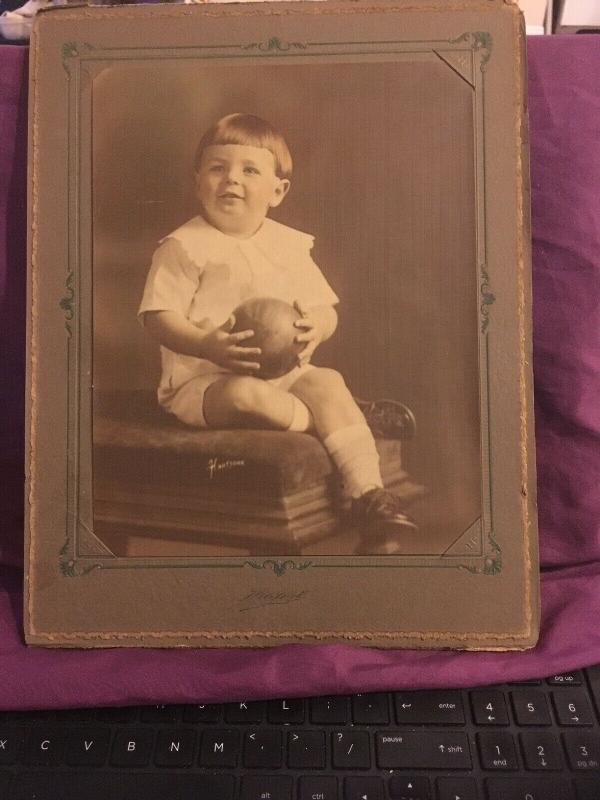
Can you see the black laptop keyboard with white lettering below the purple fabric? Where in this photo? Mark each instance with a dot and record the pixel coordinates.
(538, 740)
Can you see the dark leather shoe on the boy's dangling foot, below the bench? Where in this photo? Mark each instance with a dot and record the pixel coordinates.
(382, 521)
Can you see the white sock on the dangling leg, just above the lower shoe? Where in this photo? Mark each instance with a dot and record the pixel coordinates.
(353, 451)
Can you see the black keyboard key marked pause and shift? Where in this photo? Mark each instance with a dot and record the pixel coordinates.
(423, 750)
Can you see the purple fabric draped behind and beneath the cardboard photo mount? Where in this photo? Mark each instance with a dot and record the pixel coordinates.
(564, 85)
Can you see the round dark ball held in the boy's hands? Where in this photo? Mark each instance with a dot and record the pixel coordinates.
(272, 321)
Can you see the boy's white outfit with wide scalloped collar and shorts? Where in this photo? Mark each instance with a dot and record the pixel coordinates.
(204, 274)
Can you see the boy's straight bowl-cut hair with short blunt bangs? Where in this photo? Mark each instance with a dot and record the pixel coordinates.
(246, 129)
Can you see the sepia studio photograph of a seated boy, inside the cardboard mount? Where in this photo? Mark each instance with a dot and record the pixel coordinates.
(286, 308)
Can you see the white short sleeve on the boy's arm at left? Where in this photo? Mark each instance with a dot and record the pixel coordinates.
(172, 280)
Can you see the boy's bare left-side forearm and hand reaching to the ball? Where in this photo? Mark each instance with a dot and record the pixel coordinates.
(203, 340)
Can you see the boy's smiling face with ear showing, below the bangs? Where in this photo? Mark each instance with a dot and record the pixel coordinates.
(237, 185)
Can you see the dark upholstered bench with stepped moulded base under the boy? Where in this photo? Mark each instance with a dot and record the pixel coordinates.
(266, 492)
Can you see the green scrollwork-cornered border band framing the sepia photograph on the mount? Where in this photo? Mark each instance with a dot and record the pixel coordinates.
(80, 60)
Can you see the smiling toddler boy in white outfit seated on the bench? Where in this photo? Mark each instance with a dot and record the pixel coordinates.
(233, 251)
